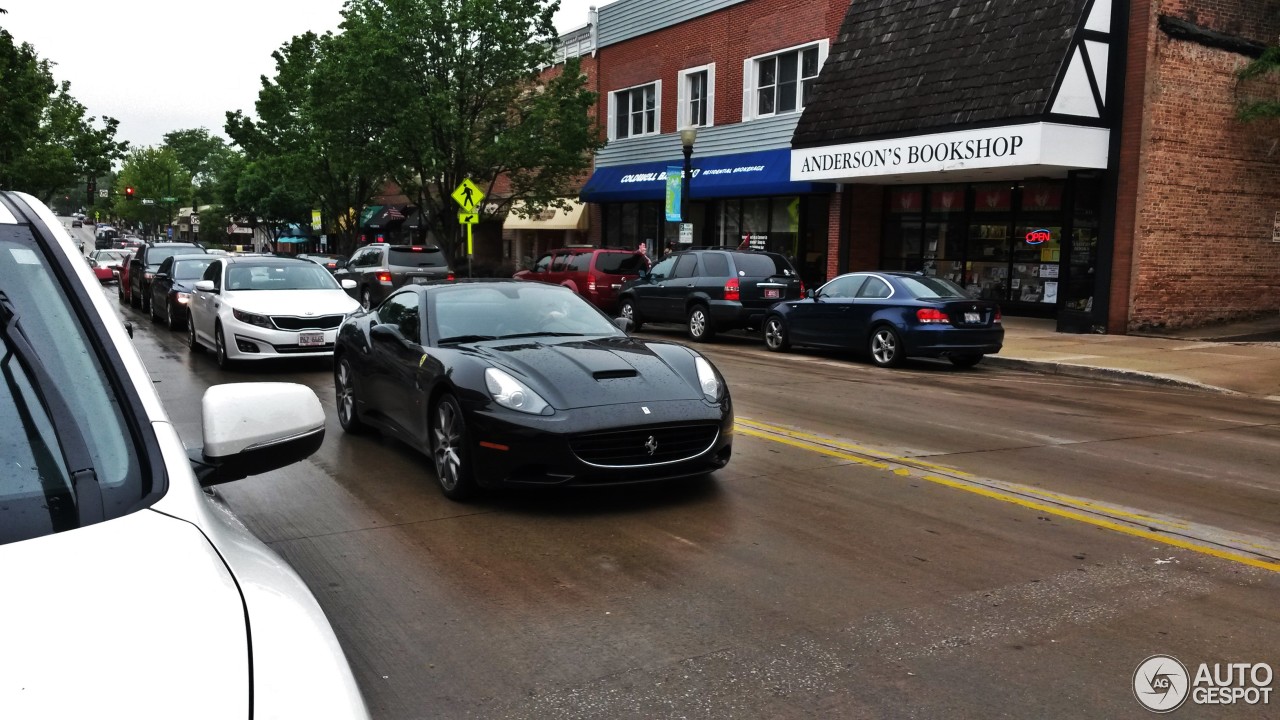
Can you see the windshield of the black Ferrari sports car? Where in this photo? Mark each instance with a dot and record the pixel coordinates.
(487, 312)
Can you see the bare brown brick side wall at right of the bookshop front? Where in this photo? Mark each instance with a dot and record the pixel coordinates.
(1209, 188)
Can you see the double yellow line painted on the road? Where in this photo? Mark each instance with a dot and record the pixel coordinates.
(1255, 553)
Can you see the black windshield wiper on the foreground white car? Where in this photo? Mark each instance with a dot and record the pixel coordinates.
(71, 440)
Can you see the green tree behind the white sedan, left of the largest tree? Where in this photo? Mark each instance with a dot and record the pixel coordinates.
(310, 139)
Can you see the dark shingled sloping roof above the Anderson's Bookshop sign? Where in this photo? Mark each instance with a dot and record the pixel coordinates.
(908, 67)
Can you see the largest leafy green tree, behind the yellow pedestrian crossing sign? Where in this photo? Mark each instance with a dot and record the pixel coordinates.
(460, 94)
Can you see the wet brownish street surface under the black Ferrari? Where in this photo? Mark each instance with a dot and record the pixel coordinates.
(917, 544)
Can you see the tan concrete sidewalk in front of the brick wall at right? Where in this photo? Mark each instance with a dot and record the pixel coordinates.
(1187, 359)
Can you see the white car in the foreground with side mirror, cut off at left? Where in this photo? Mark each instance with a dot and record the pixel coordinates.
(116, 560)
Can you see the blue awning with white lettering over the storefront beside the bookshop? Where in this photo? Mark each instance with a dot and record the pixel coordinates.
(744, 175)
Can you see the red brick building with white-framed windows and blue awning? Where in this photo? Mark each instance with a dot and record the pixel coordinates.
(740, 71)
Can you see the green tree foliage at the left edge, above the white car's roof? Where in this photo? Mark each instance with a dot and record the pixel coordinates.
(48, 144)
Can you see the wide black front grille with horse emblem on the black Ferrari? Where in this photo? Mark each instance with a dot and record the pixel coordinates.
(644, 446)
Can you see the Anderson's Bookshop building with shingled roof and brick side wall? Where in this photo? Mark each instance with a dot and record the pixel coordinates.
(1077, 160)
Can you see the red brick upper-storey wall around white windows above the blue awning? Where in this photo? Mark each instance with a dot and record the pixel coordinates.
(725, 38)
